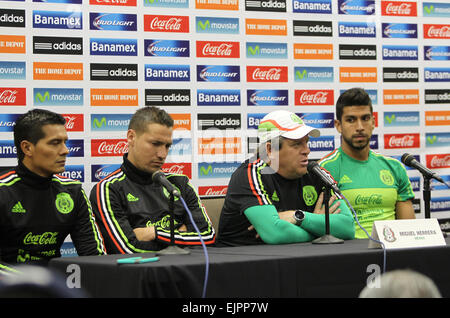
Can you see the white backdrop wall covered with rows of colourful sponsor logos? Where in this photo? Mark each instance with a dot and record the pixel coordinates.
(218, 66)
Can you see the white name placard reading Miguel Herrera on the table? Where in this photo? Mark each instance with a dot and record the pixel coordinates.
(407, 233)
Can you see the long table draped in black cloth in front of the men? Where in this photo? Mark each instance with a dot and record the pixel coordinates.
(271, 271)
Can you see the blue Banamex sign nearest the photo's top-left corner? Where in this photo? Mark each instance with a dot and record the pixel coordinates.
(58, 20)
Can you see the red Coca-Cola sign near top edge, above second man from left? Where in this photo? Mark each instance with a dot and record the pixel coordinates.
(166, 23)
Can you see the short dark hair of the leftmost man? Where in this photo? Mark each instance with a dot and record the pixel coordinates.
(29, 127)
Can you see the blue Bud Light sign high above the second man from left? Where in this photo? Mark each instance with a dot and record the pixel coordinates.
(166, 48)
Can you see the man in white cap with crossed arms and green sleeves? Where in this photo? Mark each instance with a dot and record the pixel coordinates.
(272, 199)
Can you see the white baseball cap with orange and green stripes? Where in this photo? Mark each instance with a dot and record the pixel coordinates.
(286, 124)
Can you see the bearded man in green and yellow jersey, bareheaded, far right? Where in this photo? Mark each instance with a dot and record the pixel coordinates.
(376, 186)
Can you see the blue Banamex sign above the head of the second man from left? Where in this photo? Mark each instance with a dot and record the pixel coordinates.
(172, 73)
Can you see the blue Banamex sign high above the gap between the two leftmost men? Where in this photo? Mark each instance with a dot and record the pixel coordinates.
(126, 47)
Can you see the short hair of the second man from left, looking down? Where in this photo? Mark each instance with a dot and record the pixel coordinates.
(149, 115)
